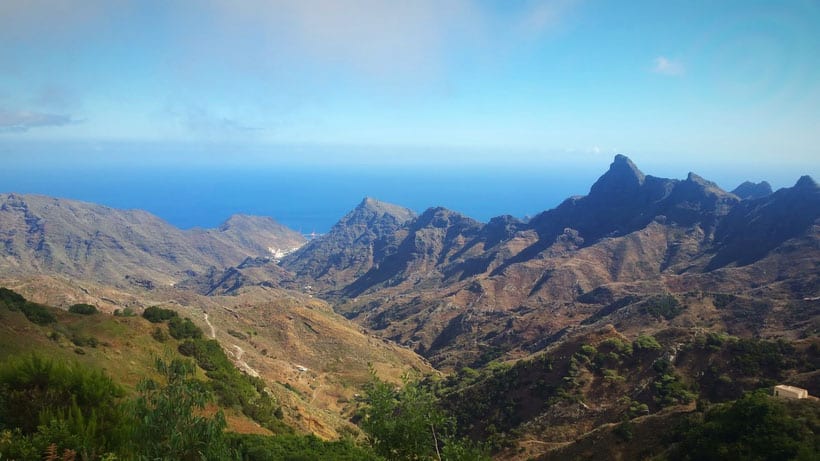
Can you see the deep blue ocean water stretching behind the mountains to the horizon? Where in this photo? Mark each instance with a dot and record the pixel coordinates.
(303, 198)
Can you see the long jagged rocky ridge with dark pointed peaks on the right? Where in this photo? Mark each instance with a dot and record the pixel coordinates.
(460, 292)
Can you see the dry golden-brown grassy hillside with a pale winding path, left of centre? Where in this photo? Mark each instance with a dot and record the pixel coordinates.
(313, 361)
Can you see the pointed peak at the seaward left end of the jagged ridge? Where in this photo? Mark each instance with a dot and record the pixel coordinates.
(350, 248)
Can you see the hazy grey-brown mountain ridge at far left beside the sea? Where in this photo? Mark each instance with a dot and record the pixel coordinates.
(123, 247)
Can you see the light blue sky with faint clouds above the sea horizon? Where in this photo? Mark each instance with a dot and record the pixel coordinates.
(700, 83)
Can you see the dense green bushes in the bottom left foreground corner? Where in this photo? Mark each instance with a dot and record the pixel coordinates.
(52, 410)
